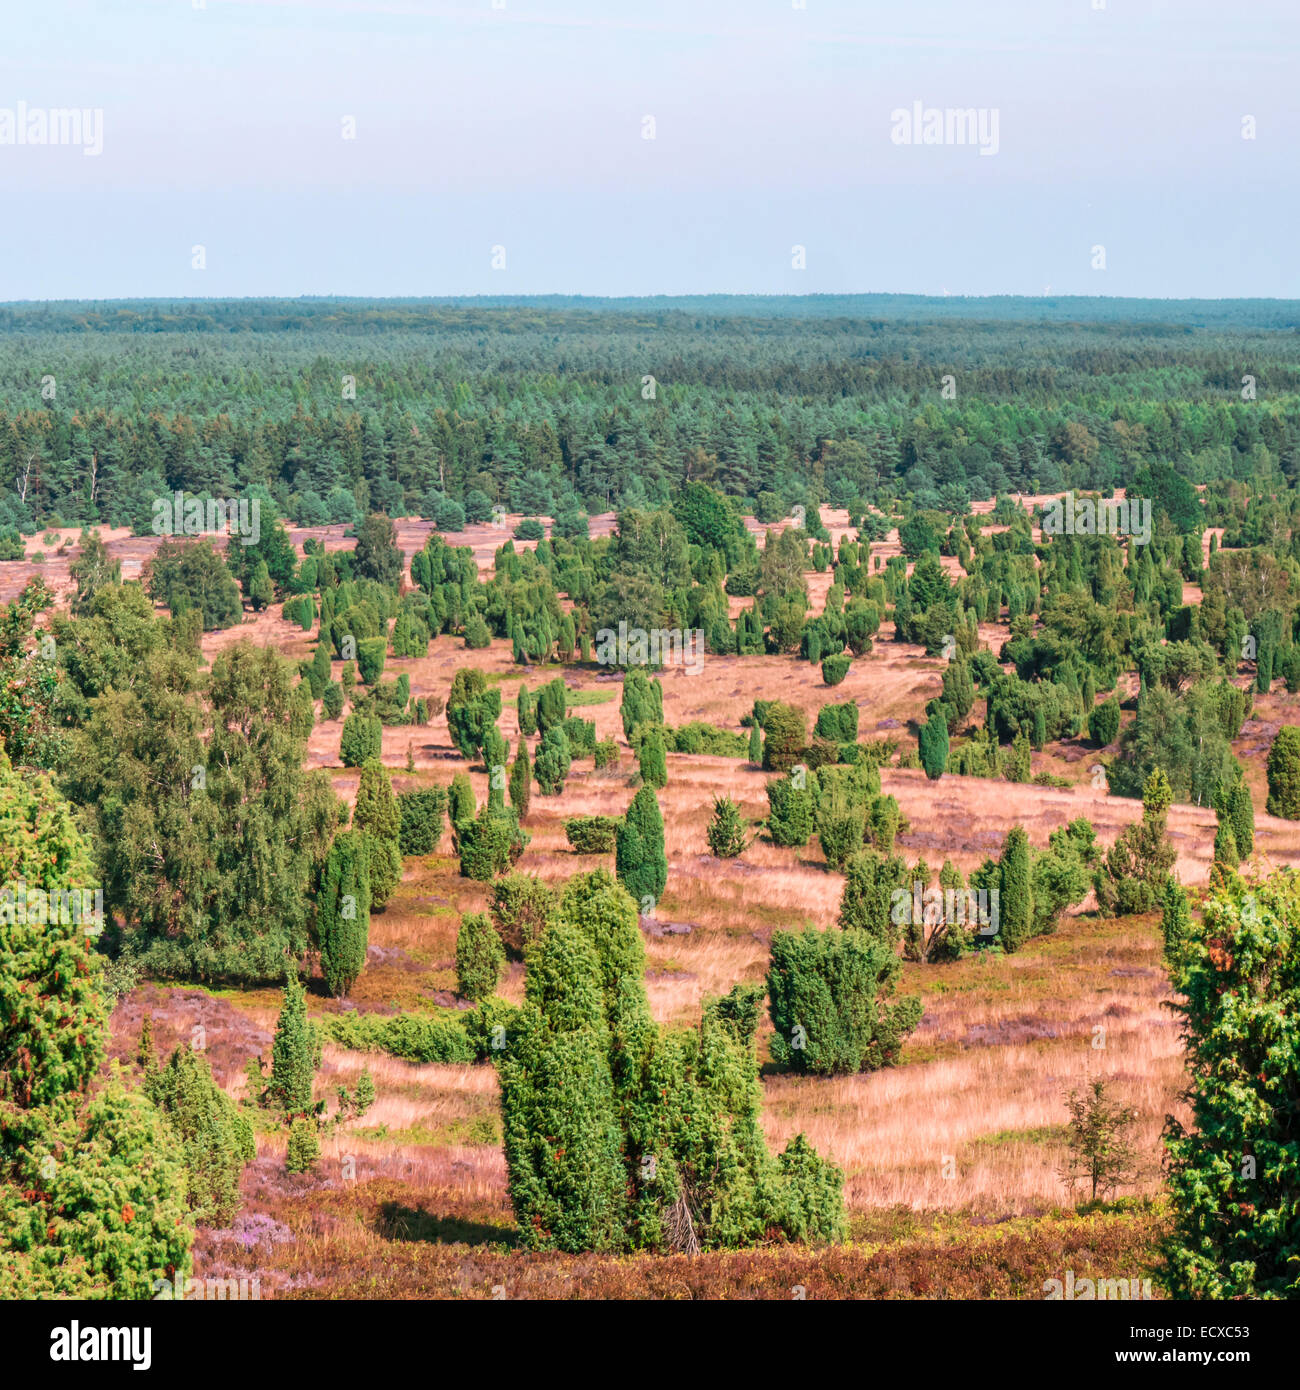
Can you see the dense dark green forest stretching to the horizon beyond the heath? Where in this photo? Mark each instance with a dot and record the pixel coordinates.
(336, 408)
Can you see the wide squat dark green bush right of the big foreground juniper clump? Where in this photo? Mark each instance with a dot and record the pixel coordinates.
(831, 1006)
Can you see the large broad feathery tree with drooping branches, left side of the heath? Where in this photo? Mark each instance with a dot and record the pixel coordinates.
(225, 790)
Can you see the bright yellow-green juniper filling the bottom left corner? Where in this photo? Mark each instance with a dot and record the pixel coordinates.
(73, 1160)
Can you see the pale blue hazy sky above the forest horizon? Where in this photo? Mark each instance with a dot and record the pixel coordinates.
(254, 148)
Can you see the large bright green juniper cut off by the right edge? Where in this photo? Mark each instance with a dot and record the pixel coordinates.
(1234, 1172)
